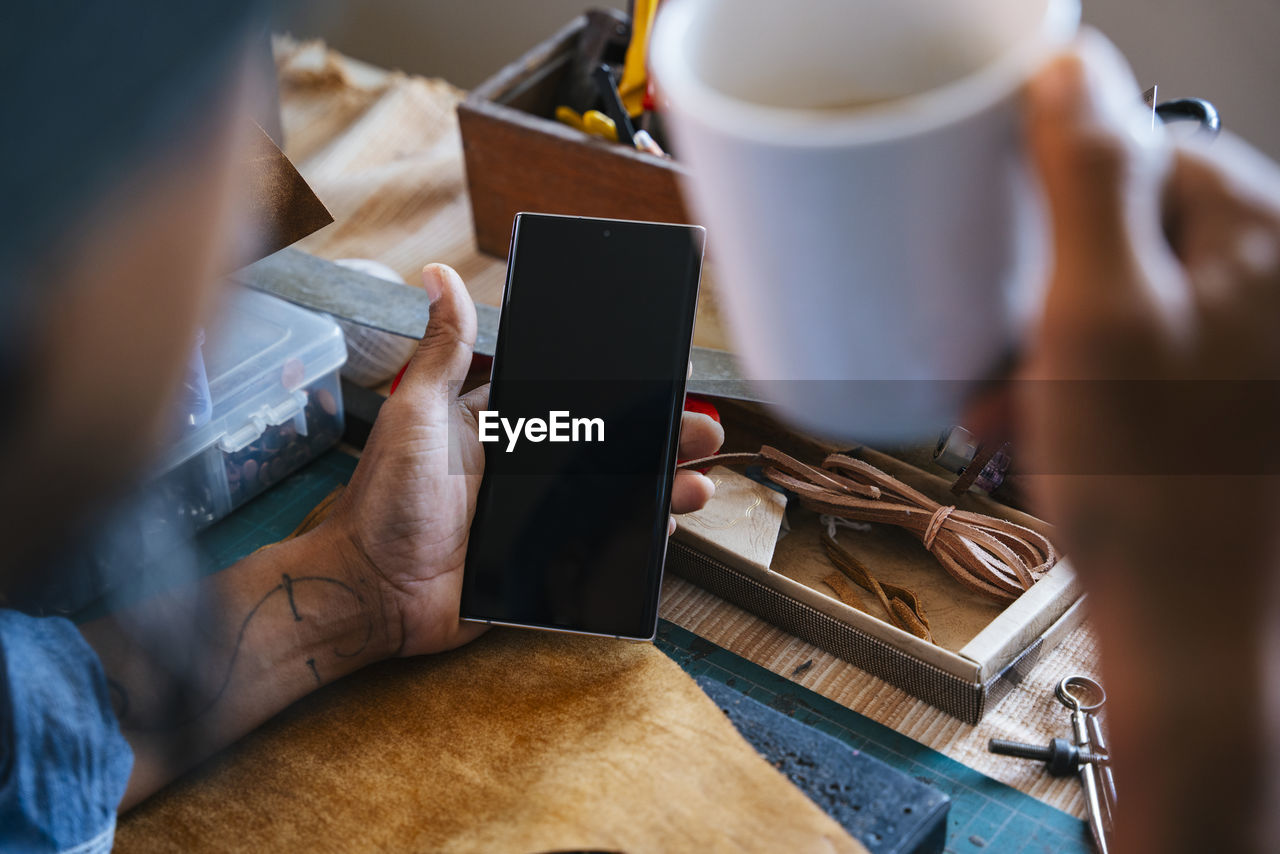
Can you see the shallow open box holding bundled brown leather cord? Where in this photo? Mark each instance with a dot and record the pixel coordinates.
(984, 647)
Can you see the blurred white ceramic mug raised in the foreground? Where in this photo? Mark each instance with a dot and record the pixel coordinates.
(860, 167)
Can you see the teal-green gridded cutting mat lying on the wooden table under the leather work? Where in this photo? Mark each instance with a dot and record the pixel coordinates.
(986, 816)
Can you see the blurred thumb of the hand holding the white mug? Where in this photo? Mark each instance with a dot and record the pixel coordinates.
(1099, 165)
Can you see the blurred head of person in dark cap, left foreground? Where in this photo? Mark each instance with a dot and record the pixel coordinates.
(121, 188)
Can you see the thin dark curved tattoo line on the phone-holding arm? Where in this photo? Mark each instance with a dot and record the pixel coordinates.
(186, 709)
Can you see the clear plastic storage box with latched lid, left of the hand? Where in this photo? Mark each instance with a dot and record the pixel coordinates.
(277, 404)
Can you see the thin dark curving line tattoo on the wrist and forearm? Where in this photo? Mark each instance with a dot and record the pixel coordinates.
(186, 705)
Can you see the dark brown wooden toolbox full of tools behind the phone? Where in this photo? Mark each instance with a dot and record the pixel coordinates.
(519, 158)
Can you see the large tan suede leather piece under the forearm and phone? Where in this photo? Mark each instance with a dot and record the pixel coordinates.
(520, 742)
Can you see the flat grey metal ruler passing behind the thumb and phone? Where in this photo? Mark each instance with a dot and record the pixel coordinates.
(323, 286)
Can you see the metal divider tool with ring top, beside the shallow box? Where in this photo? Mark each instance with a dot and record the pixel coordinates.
(1086, 756)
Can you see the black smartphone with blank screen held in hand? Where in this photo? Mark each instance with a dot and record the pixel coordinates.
(583, 428)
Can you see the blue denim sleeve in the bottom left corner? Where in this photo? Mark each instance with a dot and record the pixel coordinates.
(63, 761)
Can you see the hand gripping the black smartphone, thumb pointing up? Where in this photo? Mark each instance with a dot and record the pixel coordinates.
(405, 519)
